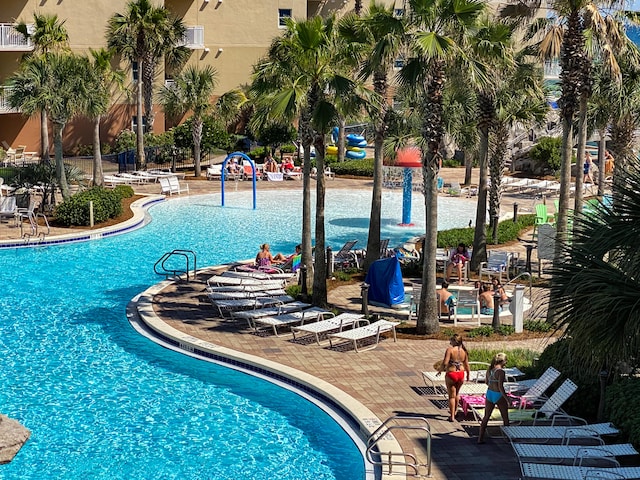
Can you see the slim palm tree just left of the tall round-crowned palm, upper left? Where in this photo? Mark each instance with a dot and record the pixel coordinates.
(103, 79)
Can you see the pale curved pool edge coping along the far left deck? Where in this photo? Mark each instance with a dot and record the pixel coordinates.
(138, 220)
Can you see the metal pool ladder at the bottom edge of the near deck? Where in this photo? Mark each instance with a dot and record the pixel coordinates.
(389, 460)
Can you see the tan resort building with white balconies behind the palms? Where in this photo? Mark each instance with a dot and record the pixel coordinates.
(229, 35)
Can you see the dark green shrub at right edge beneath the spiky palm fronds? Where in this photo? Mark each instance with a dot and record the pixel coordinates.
(618, 407)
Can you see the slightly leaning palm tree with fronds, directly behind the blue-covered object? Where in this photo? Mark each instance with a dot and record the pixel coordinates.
(382, 33)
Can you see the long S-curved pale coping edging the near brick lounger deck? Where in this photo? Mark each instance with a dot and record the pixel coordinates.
(141, 306)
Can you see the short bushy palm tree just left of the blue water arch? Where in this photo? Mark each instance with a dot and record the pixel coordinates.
(191, 92)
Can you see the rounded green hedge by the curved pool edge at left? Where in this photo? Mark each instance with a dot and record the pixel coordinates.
(75, 210)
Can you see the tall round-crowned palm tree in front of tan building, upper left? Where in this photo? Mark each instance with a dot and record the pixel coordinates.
(142, 35)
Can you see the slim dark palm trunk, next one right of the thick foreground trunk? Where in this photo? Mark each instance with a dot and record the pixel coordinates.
(479, 253)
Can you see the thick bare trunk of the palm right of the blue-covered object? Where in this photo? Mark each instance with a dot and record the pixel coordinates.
(427, 321)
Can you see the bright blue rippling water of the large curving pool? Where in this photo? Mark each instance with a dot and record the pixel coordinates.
(103, 402)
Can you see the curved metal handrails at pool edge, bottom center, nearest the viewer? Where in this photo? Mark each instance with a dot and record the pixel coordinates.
(385, 429)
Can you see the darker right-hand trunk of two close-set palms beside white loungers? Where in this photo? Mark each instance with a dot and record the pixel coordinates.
(320, 272)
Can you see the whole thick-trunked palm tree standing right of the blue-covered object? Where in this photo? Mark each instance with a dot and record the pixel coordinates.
(439, 33)
